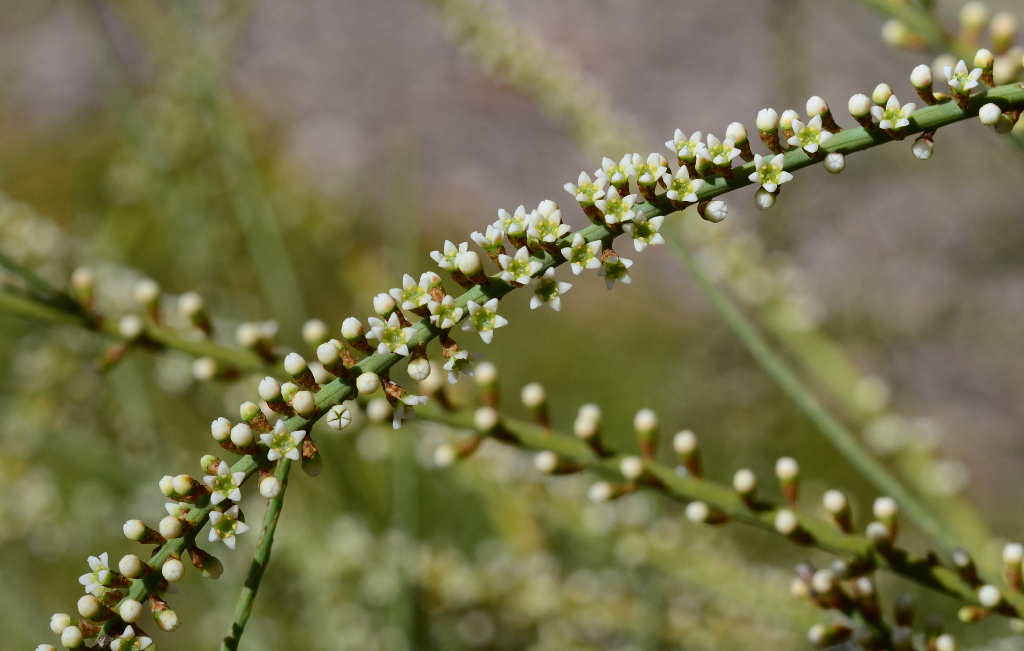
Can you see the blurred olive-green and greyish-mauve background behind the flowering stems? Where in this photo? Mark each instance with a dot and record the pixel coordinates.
(291, 160)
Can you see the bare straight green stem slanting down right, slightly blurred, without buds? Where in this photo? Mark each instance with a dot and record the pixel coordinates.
(840, 437)
